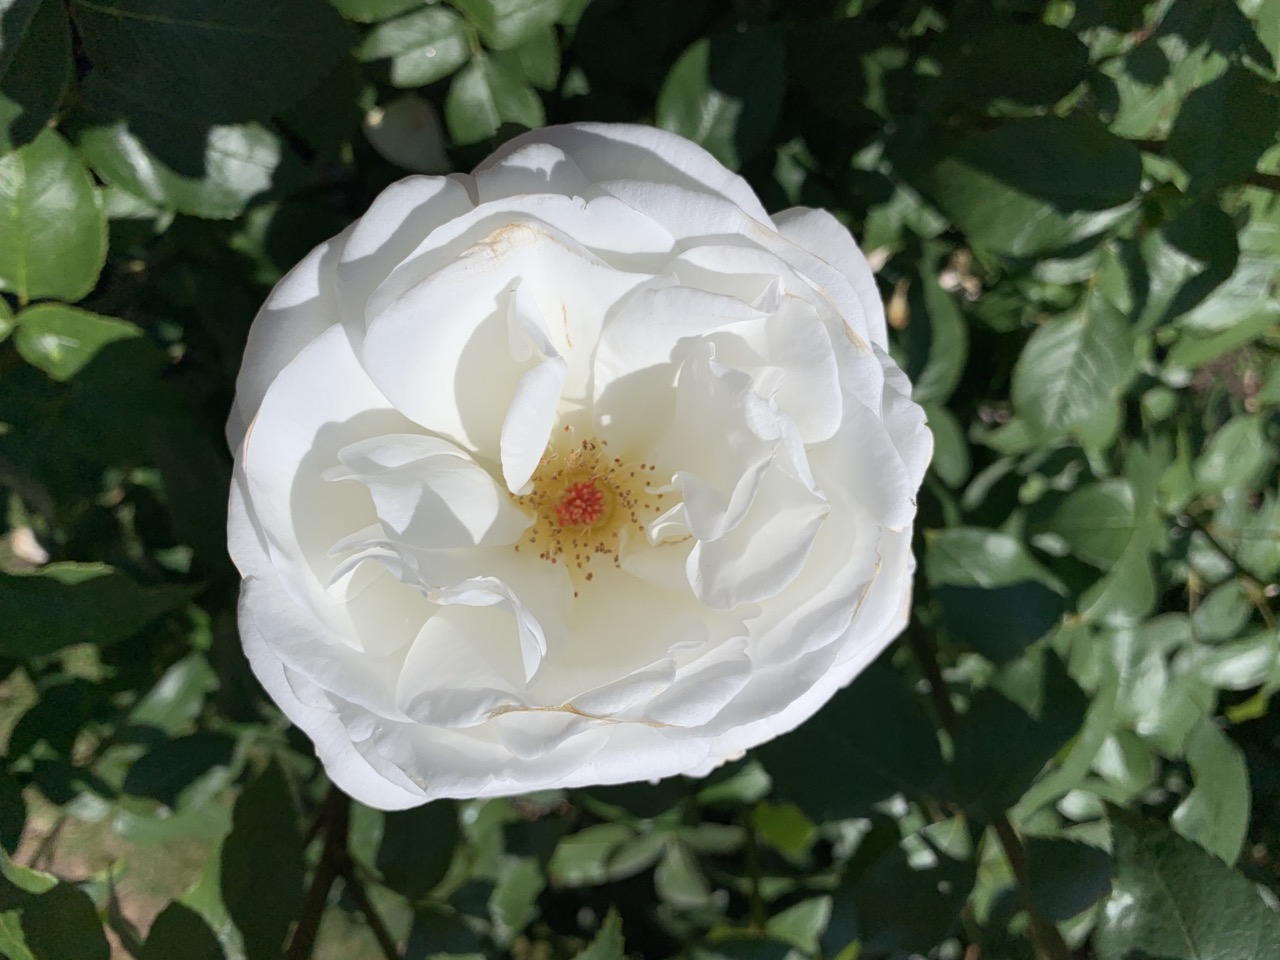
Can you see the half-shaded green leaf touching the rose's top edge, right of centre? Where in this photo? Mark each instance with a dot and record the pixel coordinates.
(725, 94)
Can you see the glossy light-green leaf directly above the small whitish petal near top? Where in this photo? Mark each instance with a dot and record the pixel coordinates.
(423, 47)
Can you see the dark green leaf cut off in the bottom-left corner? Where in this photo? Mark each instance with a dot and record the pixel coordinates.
(47, 920)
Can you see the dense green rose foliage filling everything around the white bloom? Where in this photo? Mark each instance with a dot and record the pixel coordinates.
(1073, 213)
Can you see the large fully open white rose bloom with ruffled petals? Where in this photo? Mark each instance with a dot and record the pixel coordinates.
(580, 469)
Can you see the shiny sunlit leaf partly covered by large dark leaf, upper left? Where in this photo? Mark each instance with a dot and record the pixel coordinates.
(239, 164)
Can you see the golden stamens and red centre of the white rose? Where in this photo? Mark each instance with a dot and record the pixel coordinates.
(588, 505)
